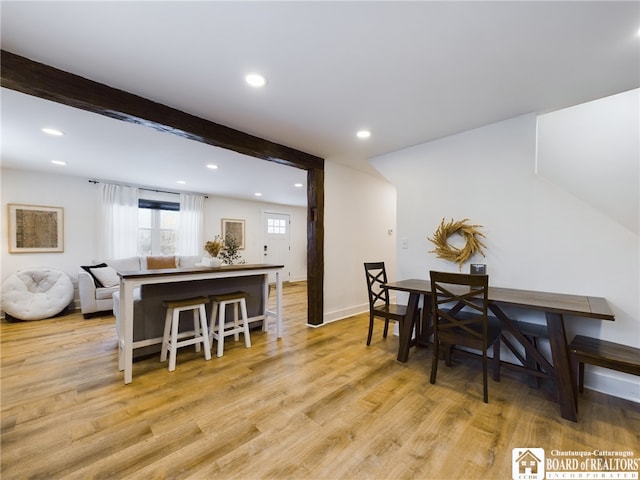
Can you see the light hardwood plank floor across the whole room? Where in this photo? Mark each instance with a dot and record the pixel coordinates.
(317, 404)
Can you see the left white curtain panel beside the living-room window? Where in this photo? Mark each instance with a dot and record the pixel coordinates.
(119, 222)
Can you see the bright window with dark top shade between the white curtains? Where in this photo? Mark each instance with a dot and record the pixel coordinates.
(157, 227)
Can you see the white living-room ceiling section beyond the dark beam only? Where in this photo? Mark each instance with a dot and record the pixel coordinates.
(101, 148)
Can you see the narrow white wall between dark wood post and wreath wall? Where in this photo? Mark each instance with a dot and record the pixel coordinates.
(359, 212)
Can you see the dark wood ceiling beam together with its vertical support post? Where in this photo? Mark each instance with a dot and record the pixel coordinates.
(43, 81)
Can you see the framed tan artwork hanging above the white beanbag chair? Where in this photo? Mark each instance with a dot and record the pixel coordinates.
(35, 229)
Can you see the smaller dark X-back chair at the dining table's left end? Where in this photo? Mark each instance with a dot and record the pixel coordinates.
(379, 305)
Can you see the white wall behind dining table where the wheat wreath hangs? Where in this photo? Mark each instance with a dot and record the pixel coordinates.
(538, 236)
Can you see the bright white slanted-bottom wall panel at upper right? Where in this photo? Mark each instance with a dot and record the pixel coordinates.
(592, 150)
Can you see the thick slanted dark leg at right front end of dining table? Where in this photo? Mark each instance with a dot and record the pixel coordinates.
(562, 366)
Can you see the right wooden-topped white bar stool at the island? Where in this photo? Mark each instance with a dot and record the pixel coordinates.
(223, 329)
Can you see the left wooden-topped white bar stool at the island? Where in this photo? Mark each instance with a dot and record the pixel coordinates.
(200, 333)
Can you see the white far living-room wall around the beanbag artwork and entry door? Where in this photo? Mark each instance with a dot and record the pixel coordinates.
(79, 198)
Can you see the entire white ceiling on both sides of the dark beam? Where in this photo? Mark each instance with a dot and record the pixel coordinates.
(410, 72)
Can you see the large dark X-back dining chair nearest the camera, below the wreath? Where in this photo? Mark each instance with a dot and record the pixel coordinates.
(459, 313)
